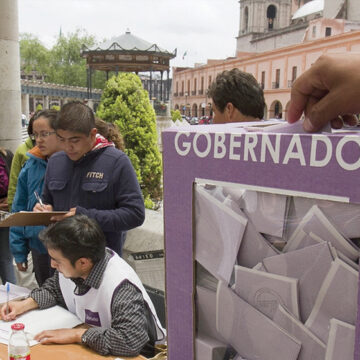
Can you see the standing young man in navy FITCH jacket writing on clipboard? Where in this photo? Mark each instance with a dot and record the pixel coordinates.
(91, 177)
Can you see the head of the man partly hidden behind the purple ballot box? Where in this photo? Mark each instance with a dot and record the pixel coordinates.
(237, 97)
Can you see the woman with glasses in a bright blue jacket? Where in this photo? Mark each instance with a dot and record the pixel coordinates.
(30, 183)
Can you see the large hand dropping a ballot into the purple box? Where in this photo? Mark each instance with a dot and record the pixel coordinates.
(328, 91)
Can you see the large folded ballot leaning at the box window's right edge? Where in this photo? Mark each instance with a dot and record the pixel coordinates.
(341, 279)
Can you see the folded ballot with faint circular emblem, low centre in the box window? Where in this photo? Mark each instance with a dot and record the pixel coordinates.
(265, 291)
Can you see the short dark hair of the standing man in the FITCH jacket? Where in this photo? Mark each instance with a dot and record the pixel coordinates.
(75, 116)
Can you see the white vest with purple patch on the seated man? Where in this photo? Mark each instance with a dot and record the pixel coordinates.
(94, 307)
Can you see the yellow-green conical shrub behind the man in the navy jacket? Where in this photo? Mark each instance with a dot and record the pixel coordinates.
(125, 103)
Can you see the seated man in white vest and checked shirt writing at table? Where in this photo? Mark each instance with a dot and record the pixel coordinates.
(98, 286)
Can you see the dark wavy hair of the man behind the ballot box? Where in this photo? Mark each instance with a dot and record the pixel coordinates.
(239, 88)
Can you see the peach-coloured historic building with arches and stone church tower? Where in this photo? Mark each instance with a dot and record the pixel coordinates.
(292, 34)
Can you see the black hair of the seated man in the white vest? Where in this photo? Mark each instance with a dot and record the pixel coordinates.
(76, 237)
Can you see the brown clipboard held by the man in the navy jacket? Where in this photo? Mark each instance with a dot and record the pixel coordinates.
(27, 218)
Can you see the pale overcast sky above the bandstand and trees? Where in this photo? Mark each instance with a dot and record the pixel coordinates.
(202, 28)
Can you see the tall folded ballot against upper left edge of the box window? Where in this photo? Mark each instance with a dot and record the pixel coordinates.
(218, 234)
